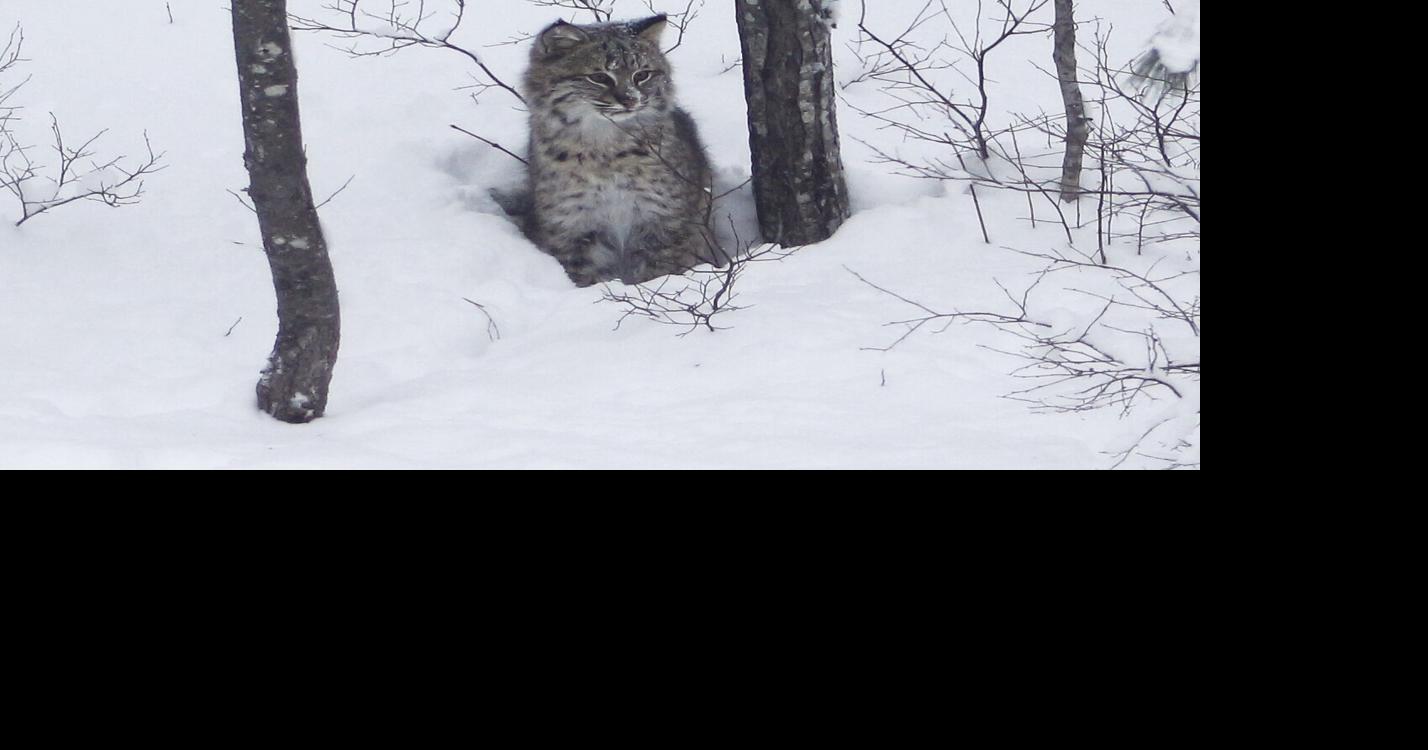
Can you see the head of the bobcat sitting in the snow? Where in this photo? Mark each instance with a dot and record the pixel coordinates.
(612, 72)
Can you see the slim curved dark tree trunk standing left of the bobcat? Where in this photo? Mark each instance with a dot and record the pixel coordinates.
(293, 386)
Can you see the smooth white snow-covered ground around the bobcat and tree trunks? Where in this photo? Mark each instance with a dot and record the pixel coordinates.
(134, 338)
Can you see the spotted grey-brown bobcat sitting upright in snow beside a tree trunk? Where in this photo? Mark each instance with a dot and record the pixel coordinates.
(619, 179)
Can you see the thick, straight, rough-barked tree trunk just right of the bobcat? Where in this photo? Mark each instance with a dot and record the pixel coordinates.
(793, 124)
